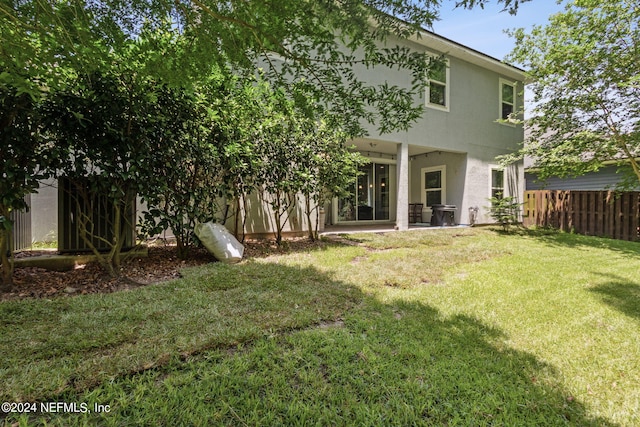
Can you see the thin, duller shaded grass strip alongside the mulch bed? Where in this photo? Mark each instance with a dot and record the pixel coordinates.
(51, 347)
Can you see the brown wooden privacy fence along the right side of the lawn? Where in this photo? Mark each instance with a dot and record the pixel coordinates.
(595, 213)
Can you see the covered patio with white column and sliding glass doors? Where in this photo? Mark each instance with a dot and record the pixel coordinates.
(401, 185)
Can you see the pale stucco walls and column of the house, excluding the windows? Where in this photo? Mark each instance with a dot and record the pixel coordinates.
(466, 137)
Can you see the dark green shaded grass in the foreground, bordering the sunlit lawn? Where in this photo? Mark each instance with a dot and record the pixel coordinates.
(386, 364)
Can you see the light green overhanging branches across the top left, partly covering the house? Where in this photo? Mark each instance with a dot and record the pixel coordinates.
(320, 43)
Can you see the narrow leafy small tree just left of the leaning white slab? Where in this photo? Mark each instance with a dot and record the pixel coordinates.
(184, 168)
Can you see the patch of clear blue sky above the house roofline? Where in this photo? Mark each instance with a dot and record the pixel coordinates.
(482, 29)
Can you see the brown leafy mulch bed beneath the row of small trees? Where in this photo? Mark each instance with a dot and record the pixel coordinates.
(160, 265)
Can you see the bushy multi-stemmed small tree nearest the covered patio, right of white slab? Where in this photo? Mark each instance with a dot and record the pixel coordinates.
(288, 153)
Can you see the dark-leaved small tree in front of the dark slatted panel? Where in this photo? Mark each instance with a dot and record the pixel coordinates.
(110, 122)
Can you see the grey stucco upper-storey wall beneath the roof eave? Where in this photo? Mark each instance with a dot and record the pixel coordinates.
(473, 102)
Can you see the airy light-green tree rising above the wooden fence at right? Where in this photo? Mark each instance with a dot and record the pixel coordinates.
(583, 71)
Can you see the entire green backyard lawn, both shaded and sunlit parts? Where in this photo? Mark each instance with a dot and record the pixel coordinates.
(439, 327)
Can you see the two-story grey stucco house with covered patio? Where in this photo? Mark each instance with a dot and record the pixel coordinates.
(448, 155)
